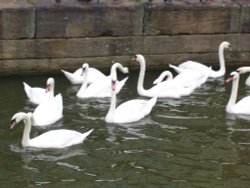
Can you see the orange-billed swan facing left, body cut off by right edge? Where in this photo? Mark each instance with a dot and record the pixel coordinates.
(242, 106)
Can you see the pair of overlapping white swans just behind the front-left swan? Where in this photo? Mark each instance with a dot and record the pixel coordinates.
(50, 108)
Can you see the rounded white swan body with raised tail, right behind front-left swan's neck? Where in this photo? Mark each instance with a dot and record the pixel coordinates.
(49, 111)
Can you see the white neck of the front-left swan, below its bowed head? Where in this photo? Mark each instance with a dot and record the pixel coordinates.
(27, 129)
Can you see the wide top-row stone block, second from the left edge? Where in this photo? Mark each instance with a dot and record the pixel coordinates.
(88, 21)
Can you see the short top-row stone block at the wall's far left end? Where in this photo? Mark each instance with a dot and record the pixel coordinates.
(17, 23)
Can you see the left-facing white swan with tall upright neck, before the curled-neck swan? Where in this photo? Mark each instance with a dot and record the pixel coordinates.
(160, 90)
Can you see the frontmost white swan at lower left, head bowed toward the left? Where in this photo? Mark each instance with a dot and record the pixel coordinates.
(52, 139)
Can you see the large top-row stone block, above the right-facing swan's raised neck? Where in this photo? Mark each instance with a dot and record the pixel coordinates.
(162, 20)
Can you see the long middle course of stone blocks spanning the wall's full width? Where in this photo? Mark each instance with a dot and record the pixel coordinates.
(119, 46)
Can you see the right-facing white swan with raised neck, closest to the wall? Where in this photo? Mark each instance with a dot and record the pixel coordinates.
(202, 68)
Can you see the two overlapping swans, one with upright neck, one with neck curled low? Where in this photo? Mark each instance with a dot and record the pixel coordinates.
(172, 88)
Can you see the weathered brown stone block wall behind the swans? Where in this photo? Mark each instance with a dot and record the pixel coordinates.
(49, 38)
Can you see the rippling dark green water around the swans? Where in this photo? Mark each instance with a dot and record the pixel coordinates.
(187, 142)
